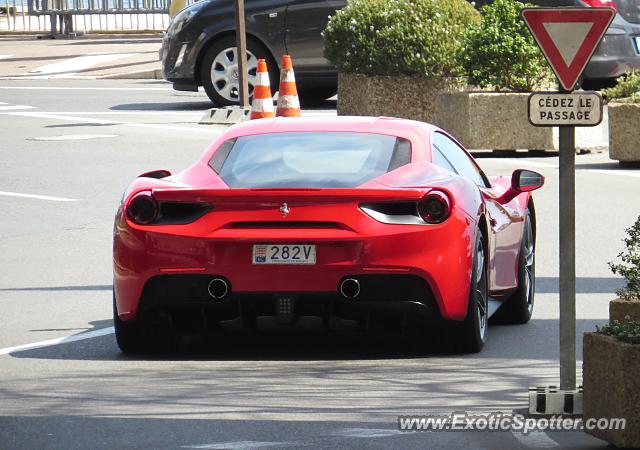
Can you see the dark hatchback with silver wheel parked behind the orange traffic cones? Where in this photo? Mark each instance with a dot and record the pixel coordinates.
(199, 46)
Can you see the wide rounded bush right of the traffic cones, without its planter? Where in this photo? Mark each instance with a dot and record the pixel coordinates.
(399, 37)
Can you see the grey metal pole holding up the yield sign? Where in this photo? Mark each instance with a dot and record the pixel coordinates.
(567, 205)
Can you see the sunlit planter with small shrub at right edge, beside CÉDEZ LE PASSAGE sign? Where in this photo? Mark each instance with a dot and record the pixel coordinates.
(624, 115)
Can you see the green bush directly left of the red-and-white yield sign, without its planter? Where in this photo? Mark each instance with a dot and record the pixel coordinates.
(500, 52)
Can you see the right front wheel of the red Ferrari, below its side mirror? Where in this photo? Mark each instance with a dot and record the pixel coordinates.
(519, 307)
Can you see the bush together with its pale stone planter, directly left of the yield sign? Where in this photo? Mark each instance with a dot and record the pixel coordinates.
(499, 55)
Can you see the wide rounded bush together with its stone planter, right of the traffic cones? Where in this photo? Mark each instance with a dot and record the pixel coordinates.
(402, 50)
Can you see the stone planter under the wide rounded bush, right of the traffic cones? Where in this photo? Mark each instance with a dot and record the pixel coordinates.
(398, 96)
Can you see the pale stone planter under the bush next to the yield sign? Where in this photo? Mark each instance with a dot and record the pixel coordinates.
(491, 120)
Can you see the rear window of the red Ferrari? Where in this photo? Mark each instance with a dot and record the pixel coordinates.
(308, 159)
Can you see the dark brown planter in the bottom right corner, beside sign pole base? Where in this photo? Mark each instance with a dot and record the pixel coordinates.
(612, 387)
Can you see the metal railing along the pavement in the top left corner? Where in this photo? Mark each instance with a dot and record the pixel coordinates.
(71, 16)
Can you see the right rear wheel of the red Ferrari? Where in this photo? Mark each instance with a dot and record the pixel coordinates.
(471, 335)
